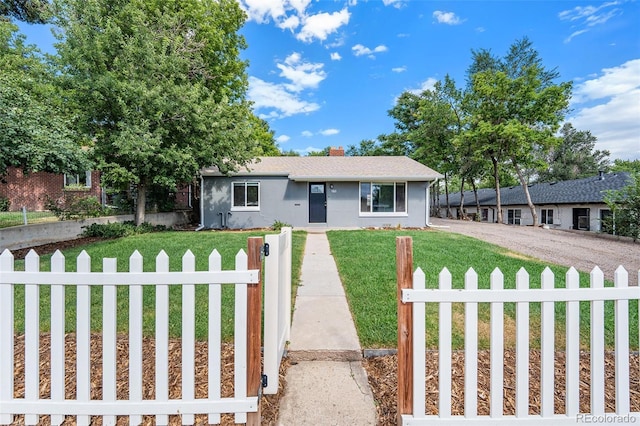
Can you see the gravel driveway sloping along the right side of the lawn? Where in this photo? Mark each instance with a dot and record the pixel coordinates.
(582, 250)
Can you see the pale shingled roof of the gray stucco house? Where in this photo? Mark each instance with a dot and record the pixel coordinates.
(335, 168)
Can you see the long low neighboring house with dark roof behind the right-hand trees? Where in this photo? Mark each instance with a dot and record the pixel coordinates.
(572, 204)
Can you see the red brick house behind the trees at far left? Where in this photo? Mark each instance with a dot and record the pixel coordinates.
(32, 190)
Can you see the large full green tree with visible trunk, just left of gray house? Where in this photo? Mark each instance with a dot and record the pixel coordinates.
(161, 86)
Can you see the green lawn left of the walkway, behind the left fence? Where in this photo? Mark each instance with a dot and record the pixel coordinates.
(175, 244)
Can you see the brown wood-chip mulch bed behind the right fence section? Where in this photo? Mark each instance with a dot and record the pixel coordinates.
(382, 372)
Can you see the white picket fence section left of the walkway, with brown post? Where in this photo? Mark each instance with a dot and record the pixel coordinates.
(246, 279)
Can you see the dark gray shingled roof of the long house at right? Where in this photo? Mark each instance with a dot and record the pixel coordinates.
(579, 191)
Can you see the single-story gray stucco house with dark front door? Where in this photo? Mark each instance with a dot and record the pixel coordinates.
(332, 191)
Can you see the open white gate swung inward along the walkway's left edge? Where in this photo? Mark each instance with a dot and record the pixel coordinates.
(277, 305)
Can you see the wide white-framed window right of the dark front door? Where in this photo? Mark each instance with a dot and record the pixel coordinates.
(383, 197)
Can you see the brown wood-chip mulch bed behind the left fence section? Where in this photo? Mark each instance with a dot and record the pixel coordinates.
(269, 403)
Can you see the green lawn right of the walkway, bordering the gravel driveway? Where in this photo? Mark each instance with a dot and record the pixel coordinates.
(367, 265)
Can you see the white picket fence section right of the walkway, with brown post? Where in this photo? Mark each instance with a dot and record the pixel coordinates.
(412, 297)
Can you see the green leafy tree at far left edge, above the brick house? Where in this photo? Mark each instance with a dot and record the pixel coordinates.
(35, 121)
